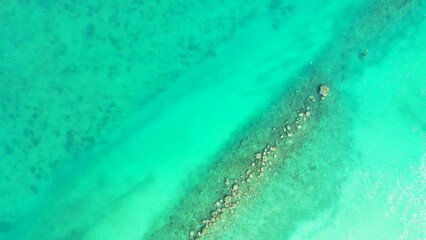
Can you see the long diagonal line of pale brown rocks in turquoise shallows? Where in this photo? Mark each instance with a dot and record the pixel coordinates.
(262, 160)
